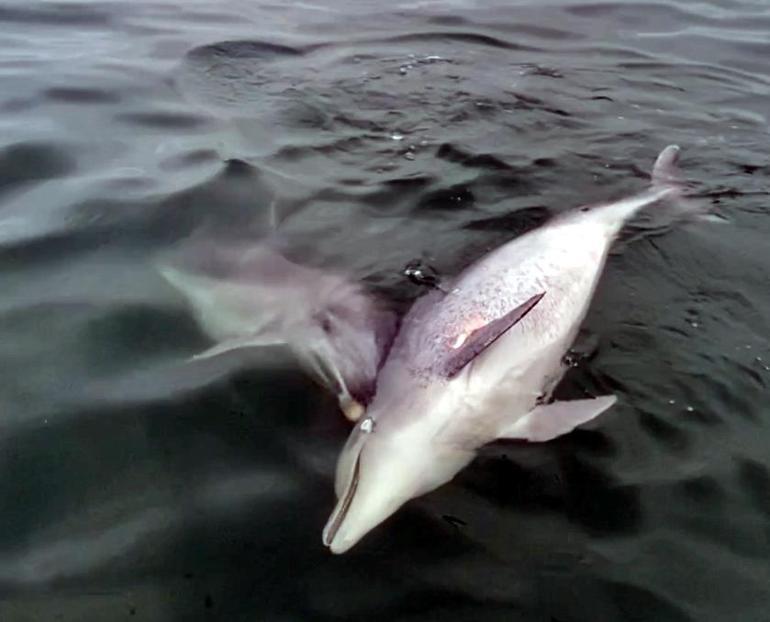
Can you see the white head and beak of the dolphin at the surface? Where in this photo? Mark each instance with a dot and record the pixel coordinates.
(379, 470)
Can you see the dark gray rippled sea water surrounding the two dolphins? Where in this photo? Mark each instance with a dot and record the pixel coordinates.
(135, 487)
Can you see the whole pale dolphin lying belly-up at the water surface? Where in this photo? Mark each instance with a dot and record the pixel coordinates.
(478, 360)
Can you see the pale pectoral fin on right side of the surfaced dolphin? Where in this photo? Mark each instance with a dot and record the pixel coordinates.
(548, 421)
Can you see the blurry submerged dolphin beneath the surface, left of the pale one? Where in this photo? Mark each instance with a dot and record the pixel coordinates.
(247, 295)
